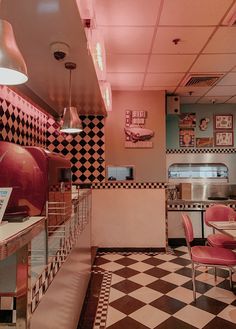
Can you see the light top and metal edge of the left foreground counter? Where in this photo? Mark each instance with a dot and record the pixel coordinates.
(22, 234)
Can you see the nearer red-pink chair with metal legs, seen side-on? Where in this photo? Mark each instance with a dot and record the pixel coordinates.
(205, 255)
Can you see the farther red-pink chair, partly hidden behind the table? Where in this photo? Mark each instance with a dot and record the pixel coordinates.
(219, 212)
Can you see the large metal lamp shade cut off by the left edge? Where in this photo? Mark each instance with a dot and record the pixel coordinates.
(13, 69)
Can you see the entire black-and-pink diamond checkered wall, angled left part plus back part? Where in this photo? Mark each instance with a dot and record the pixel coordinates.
(24, 124)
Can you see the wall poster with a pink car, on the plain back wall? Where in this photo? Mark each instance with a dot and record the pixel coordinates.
(136, 134)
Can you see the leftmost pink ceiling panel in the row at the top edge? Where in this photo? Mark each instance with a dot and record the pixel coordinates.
(127, 12)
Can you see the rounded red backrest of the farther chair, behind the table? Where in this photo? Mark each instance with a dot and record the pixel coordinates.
(218, 212)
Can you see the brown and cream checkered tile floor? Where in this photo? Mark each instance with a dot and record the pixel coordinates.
(154, 290)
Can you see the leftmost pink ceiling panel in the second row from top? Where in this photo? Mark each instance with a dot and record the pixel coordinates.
(128, 39)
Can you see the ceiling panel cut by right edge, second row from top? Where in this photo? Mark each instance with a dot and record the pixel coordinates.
(223, 41)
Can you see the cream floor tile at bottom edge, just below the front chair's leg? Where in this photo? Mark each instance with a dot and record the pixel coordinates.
(194, 316)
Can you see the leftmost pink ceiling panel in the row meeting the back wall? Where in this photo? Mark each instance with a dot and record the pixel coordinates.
(131, 80)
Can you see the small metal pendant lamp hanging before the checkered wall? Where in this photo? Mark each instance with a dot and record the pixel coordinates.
(71, 121)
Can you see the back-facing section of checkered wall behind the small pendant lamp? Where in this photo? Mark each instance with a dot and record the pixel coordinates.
(86, 151)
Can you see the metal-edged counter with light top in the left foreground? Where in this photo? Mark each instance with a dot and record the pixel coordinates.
(16, 247)
